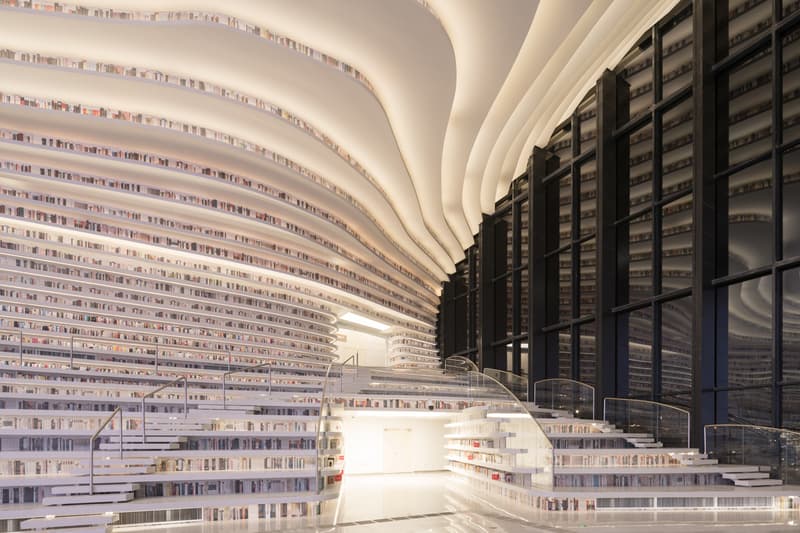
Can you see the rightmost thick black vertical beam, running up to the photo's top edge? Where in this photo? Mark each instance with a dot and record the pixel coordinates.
(707, 148)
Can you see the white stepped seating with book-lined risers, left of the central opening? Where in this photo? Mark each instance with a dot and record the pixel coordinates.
(261, 441)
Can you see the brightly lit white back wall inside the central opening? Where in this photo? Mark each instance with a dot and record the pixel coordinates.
(376, 445)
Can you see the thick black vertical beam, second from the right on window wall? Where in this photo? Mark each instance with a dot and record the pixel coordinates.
(612, 109)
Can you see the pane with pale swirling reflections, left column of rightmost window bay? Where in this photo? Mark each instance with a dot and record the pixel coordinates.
(750, 332)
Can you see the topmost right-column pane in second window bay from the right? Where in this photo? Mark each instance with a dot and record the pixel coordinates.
(676, 50)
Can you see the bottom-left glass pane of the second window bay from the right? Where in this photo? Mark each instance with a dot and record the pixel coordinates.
(640, 352)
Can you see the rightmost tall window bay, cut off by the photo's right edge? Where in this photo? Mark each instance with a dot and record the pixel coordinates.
(757, 185)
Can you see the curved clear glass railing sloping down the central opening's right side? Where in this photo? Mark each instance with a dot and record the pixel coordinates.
(525, 433)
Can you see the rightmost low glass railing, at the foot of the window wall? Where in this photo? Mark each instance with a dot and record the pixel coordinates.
(743, 444)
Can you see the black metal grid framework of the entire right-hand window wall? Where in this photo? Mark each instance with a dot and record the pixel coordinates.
(706, 387)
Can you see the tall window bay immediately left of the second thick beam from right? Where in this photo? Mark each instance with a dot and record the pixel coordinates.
(570, 250)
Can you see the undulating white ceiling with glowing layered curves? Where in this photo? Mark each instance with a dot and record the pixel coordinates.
(435, 111)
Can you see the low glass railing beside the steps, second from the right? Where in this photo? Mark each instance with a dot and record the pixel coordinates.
(666, 423)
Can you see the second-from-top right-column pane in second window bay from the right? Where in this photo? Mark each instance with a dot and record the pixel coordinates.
(677, 148)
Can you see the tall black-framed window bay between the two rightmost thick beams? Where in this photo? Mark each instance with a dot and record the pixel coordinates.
(654, 216)
